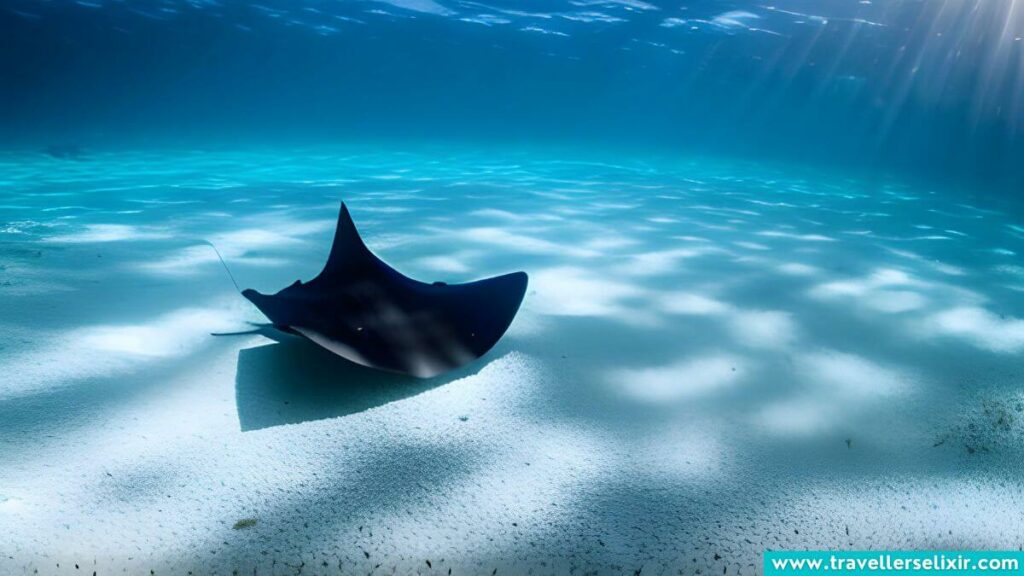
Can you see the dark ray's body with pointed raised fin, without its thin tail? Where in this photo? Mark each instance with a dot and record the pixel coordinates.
(370, 314)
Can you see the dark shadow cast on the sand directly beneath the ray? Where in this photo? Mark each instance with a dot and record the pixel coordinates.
(294, 382)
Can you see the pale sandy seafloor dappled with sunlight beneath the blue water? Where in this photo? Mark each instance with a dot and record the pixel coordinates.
(713, 359)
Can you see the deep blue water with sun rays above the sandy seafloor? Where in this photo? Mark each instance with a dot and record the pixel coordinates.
(931, 89)
